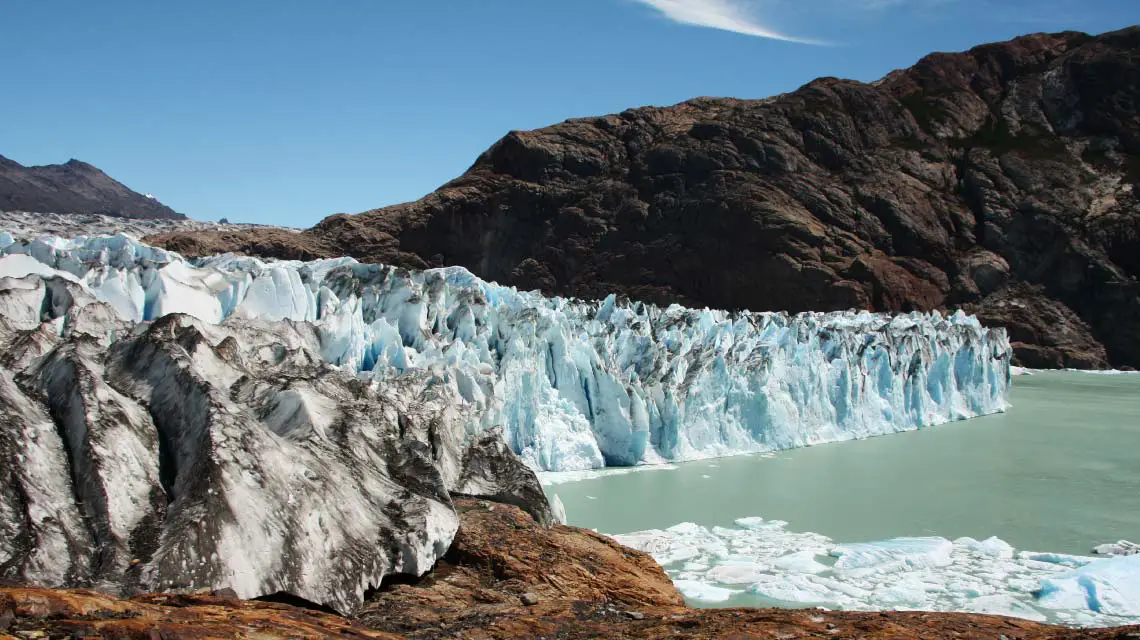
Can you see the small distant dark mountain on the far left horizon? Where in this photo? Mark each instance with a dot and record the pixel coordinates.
(74, 188)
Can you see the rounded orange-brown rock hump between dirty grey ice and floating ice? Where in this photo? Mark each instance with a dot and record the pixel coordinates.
(499, 557)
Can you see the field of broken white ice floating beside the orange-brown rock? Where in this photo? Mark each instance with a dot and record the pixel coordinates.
(764, 560)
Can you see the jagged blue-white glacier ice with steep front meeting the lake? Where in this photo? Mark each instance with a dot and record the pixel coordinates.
(573, 385)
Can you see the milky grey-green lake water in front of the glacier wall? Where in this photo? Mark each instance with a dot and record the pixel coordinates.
(1058, 473)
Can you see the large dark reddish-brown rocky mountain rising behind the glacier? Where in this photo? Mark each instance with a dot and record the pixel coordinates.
(1001, 181)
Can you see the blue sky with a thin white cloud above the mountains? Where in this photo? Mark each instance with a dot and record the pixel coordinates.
(287, 111)
